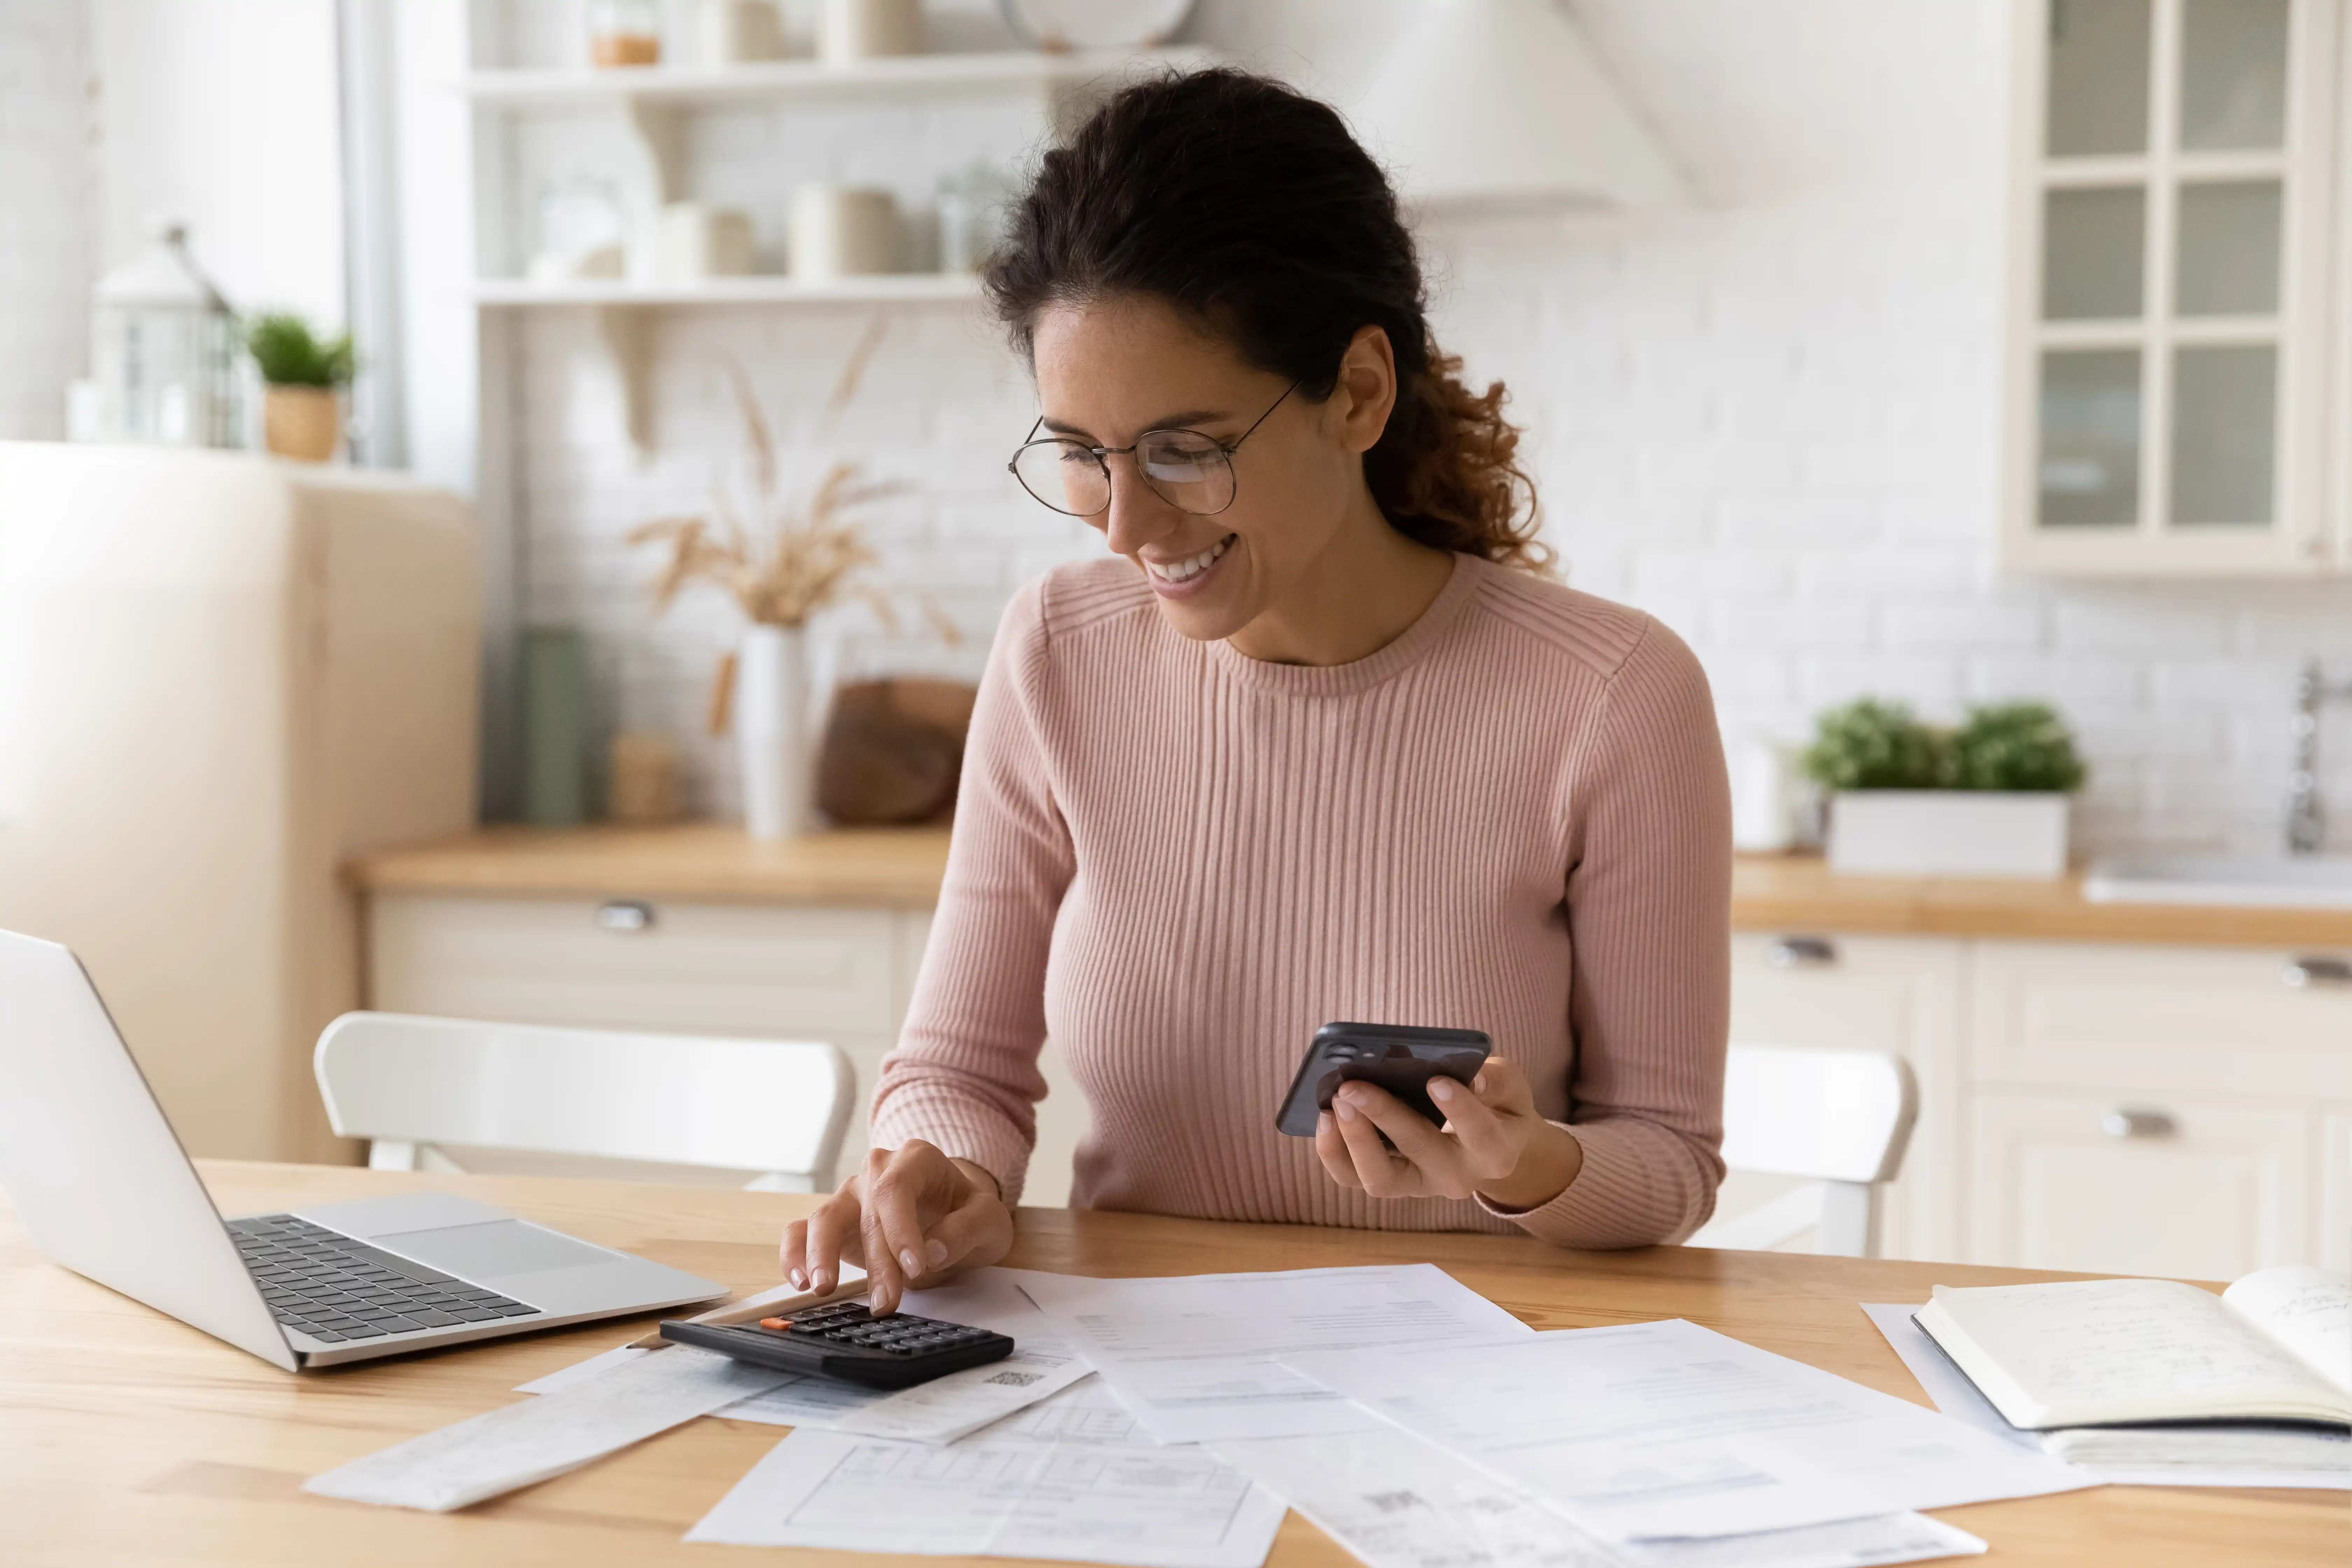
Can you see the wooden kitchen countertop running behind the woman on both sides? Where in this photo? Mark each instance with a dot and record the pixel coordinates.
(902, 869)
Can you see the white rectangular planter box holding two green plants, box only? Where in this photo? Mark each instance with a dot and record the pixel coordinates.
(1949, 833)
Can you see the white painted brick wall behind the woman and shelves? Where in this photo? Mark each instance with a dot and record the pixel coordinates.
(1770, 420)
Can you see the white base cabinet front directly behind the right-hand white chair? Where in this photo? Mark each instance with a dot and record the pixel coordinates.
(1866, 993)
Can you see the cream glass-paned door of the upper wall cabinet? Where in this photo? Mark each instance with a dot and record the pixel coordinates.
(2170, 288)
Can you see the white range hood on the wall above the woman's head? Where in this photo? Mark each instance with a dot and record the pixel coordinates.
(1499, 105)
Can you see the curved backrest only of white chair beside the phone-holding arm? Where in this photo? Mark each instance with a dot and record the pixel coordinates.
(1831, 1115)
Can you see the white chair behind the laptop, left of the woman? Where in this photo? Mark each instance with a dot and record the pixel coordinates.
(460, 1094)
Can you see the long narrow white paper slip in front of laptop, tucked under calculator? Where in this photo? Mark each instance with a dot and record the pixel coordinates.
(549, 1435)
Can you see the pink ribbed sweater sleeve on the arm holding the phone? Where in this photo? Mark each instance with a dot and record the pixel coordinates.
(1650, 927)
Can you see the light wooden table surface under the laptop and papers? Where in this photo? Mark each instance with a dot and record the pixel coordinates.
(128, 1438)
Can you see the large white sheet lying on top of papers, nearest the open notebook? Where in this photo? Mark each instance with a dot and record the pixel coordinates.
(1671, 1430)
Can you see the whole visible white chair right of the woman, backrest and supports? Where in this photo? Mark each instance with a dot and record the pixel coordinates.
(1836, 1118)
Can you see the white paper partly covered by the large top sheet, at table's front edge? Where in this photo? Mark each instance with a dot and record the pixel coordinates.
(1403, 1503)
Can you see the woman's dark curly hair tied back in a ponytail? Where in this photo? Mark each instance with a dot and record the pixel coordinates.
(1252, 210)
